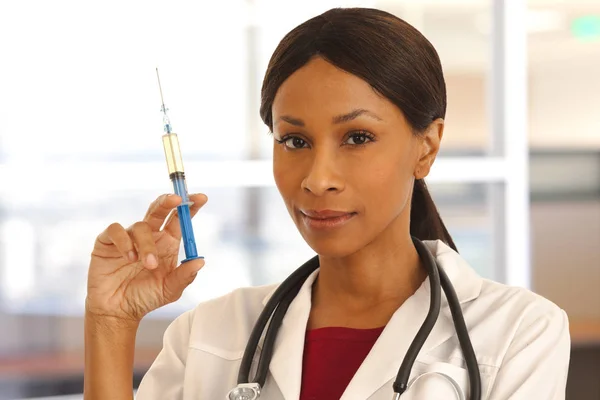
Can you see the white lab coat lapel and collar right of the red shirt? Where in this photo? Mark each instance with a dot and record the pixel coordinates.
(382, 363)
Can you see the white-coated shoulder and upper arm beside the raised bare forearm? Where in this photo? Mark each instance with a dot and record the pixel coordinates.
(206, 340)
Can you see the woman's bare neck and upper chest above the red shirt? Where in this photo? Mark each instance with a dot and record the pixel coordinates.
(364, 289)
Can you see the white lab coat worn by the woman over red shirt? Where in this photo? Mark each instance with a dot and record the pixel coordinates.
(521, 341)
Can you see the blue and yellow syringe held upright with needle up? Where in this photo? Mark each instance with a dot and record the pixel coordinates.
(177, 175)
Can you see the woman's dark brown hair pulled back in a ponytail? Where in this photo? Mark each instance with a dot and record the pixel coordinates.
(389, 54)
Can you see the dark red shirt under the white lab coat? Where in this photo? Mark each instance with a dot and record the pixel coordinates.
(331, 358)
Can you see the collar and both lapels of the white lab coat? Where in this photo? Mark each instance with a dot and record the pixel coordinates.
(382, 363)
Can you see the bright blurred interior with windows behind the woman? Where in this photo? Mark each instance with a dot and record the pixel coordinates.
(518, 180)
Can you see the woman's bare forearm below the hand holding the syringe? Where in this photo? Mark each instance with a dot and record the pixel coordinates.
(109, 350)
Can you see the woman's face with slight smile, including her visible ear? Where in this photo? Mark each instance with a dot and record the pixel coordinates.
(344, 159)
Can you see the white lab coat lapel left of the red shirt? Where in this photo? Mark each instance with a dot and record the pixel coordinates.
(286, 364)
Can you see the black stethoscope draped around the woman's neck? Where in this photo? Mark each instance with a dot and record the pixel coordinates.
(281, 299)
